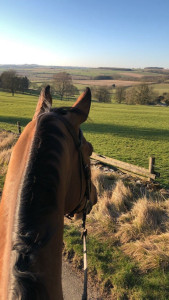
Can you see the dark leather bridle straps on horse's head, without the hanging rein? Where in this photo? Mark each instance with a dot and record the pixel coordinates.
(84, 168)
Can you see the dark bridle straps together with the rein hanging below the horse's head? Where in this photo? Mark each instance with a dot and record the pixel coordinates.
(83, 168)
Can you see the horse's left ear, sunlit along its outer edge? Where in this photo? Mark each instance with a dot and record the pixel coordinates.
(44, 103)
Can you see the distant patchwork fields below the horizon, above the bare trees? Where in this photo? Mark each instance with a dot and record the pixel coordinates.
(83, 77)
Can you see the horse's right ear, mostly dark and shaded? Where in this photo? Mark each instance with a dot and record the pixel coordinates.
(83, 105)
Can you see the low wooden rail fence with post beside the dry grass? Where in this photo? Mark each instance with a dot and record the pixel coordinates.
(129, 168)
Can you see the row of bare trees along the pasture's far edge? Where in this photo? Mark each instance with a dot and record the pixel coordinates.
(63, 88)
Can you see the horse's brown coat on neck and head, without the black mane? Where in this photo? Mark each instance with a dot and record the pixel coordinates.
(68, 192)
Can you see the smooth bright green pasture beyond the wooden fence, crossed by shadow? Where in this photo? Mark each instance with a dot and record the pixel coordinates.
(125, 132)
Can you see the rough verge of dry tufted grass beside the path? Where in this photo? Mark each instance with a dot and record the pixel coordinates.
(128, 252)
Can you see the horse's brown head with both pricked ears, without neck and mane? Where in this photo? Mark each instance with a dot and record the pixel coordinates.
(81, 193)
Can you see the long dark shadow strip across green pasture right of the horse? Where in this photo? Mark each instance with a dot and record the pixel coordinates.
(128, 131)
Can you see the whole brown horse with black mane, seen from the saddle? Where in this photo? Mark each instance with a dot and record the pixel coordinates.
(46, 179)
